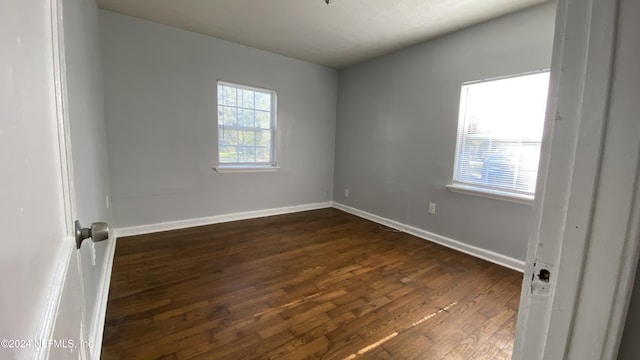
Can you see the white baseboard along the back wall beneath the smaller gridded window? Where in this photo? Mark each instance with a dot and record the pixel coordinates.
(181, 224)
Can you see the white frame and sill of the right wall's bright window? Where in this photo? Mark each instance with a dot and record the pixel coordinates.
(470, 188)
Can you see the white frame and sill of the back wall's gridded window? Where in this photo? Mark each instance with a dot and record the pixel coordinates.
(223, 167)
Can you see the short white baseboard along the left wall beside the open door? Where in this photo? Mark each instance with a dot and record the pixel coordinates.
(100, 312)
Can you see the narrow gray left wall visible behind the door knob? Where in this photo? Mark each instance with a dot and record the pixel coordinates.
(88, 134)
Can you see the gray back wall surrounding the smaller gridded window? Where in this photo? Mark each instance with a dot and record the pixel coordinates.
(160, 91)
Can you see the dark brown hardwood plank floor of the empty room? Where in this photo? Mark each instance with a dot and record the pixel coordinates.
(313, 285)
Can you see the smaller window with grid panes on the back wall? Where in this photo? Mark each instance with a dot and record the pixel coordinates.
(246, 127)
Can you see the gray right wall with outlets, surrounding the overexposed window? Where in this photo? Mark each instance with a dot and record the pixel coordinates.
(396, 129)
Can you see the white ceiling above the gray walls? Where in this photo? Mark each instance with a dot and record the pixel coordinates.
(337, 35)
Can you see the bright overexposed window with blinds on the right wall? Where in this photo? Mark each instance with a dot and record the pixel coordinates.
(499, 134)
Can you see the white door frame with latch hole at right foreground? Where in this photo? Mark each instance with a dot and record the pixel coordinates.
(584, 249)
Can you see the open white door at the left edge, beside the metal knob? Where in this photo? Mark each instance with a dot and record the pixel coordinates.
(41, 290)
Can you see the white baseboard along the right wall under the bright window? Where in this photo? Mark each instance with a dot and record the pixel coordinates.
(484, 254)
